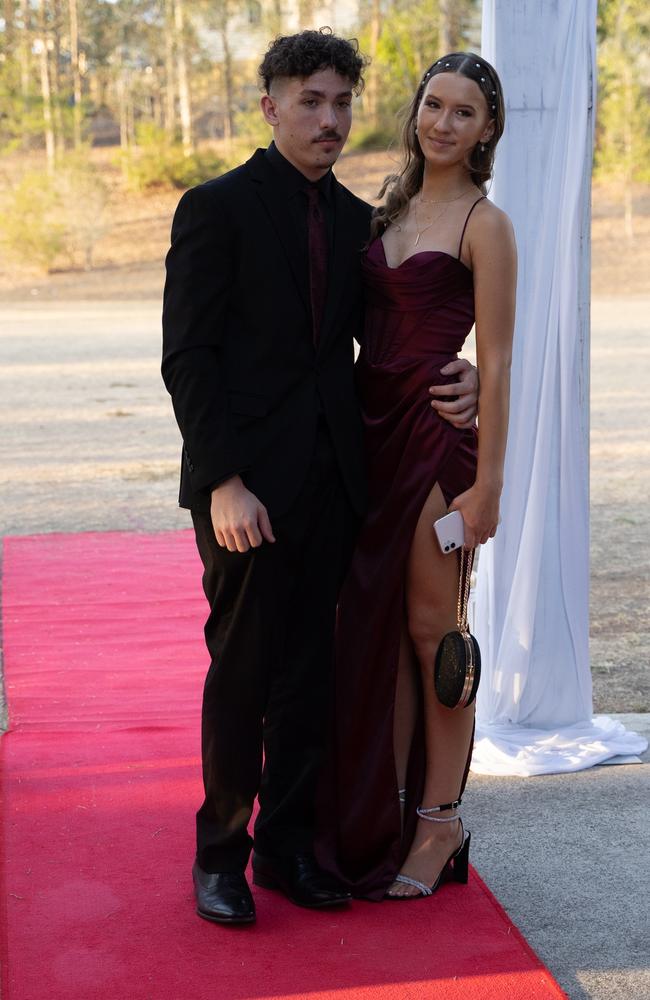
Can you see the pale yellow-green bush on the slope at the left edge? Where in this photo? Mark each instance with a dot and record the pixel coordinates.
(55, 219)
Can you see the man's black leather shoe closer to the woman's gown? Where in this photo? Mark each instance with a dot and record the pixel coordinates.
(300, 879)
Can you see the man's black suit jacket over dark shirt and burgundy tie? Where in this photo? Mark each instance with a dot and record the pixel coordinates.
(246, 382)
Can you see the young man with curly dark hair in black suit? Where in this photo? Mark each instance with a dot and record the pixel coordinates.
(262, 301)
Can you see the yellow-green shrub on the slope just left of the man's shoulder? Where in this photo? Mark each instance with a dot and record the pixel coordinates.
(158, 161)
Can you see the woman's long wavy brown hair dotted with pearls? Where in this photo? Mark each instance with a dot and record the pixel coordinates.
(400, 188)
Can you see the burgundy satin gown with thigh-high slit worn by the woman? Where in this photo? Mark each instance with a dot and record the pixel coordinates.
(418, 316)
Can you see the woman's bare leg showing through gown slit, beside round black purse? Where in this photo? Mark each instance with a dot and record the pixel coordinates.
(431, 598)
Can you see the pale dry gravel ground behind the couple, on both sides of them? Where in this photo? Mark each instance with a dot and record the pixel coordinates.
(89, 443)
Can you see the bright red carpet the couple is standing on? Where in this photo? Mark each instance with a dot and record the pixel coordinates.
(104, 664)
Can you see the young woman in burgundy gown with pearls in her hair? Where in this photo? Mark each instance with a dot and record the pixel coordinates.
(441, 258)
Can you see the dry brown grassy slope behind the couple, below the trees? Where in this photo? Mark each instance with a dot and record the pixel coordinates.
(129, 258)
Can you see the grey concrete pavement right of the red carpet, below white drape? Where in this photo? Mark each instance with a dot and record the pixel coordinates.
(568, 856)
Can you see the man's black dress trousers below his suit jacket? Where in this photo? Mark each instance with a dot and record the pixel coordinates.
(268, 691)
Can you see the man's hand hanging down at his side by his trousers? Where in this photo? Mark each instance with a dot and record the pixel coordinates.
(239, 520)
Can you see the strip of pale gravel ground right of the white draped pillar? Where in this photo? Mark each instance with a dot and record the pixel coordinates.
(620, 518)
